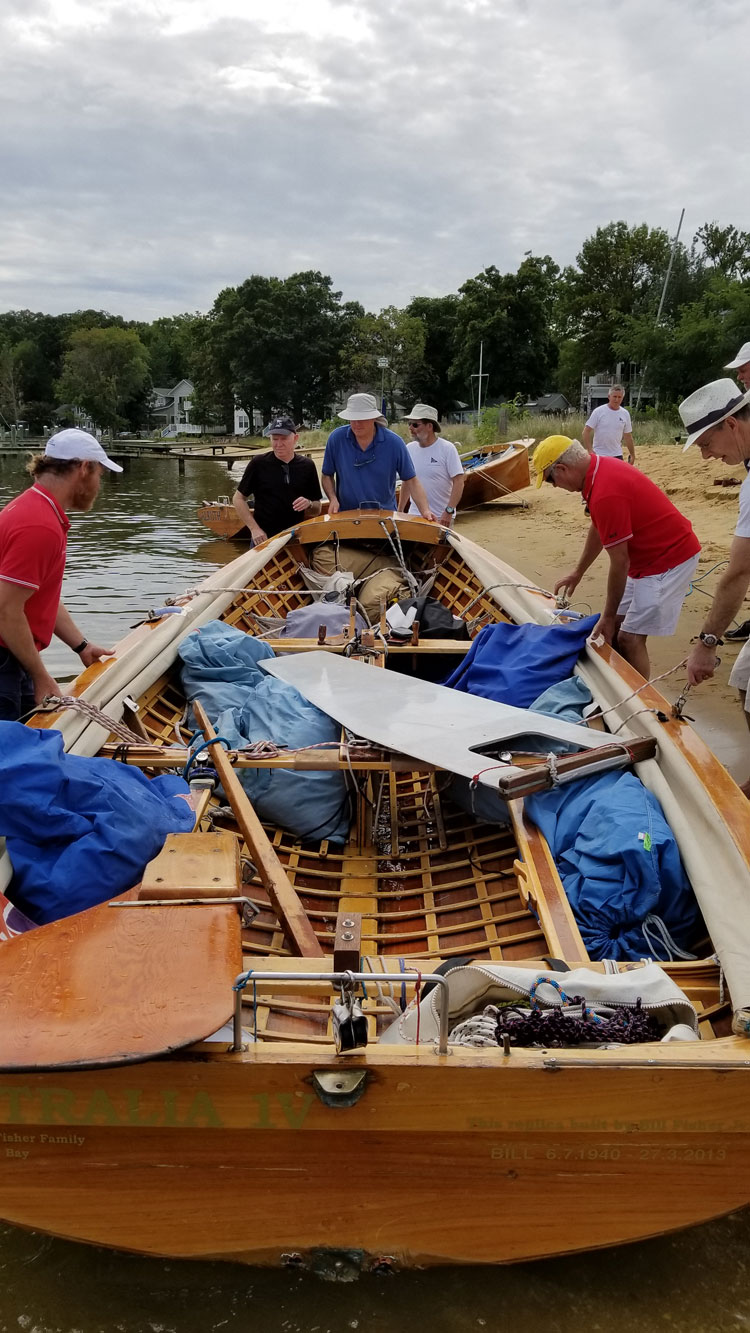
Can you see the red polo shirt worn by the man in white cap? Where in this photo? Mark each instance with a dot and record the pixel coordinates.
(34, 535)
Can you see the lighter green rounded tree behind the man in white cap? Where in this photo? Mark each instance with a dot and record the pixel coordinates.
(106, 373)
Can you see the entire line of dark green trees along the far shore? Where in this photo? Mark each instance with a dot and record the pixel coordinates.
(295, 345)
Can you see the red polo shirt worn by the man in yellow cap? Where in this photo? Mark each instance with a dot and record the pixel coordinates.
(625, 506)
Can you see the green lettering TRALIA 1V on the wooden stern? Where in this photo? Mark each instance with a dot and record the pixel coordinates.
(133, 1107)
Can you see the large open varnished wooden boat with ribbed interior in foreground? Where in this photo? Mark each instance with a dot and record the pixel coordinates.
(330, 1152)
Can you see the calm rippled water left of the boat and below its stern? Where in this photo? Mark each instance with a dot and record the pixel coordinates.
(142, 543)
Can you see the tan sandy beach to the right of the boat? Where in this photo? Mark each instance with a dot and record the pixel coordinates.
(542, 533)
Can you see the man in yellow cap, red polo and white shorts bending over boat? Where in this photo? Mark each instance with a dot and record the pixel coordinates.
(652, 547)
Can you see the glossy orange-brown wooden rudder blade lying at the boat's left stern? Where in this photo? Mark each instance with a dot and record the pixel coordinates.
(123, 982)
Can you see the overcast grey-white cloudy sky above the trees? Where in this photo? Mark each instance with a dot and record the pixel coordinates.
(157, 151)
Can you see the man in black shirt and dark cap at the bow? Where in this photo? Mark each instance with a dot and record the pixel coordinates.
(286, 487)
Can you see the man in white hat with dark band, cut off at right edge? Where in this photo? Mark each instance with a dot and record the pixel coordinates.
(717, 419)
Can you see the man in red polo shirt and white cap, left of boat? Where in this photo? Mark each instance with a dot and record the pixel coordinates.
(34, 531)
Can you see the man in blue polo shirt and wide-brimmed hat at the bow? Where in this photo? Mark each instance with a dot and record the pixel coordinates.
(363, 461)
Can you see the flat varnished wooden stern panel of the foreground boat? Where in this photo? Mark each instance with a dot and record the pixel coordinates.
(239, 1159)
